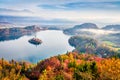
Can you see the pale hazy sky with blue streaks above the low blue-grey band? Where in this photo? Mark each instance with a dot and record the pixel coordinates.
(76, 11)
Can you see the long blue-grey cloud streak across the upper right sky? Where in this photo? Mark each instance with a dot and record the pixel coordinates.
(82, 5)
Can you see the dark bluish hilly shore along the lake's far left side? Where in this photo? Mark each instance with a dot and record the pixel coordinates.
(17, 32)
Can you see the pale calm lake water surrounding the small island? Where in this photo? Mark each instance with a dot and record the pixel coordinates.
(54, 43)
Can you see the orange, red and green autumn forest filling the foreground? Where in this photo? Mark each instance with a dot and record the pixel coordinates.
(69, 66)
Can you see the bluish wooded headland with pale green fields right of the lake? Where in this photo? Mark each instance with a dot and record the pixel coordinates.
(89, 45)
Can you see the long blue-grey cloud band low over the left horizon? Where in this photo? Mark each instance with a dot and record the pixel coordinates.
(22, 19)
